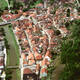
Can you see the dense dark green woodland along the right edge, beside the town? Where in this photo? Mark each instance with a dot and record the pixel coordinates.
(70, 53)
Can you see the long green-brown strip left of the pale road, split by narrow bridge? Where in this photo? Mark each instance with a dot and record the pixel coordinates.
(12, 52)
